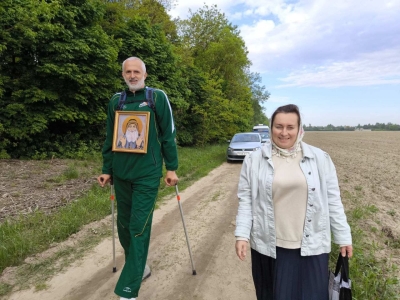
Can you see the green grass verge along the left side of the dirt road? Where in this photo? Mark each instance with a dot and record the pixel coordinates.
(27, 235)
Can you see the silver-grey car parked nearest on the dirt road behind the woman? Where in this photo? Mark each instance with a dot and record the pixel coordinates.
(242, 144)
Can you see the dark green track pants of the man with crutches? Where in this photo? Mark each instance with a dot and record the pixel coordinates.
(135, 206)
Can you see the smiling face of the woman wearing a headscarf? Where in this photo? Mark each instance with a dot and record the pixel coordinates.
(285, 129)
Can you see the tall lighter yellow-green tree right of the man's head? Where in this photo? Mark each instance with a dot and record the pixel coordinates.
(221, 102)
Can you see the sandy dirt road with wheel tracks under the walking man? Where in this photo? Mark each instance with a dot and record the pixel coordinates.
(210, 208)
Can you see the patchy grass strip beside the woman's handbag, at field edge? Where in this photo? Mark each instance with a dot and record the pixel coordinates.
(372, 278)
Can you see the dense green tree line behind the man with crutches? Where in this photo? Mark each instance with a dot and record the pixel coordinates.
(60, 63)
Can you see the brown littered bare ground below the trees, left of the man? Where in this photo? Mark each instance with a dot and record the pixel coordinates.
(28, 185)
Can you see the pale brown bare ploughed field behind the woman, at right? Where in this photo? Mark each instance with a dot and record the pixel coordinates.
(368, 168)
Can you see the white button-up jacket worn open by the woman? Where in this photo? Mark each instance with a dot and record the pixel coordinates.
(324, 214)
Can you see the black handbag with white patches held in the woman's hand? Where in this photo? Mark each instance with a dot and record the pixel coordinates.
(339, 281)
